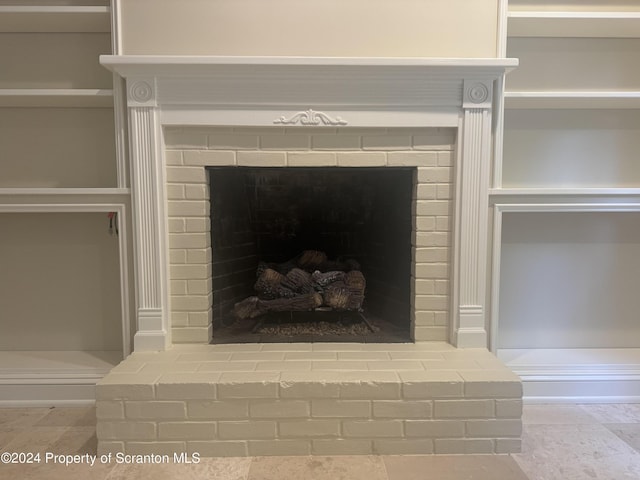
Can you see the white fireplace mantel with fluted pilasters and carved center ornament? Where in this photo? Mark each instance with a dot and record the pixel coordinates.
(323, 92)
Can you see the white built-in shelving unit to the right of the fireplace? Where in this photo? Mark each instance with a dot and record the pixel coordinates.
(566, 201)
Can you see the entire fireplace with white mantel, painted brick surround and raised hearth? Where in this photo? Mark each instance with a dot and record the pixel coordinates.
(411, 139)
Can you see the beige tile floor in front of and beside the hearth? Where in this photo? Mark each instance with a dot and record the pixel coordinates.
(564, 442)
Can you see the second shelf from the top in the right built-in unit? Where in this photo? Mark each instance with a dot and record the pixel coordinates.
(572, 99)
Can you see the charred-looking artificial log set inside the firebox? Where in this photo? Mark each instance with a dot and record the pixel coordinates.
(309, 281)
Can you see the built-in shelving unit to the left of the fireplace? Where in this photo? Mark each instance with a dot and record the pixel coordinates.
(63, 190)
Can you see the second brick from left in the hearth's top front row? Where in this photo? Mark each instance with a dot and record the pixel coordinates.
(186, 386)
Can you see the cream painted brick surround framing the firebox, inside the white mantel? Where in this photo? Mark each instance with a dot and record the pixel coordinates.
(189, 150)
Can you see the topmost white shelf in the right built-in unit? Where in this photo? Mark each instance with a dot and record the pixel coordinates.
(573, 24)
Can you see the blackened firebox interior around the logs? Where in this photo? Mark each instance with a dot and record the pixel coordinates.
(267, 217)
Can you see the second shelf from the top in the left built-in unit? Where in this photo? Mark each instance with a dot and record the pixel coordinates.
(53, 97)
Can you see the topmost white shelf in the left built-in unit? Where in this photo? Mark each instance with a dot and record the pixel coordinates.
(44, 19)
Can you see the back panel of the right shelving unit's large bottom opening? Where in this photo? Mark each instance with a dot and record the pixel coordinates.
(569, 280)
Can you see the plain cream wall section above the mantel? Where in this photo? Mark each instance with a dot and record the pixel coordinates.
(422, 28)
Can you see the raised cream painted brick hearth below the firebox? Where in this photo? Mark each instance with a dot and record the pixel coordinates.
(301, 399)
